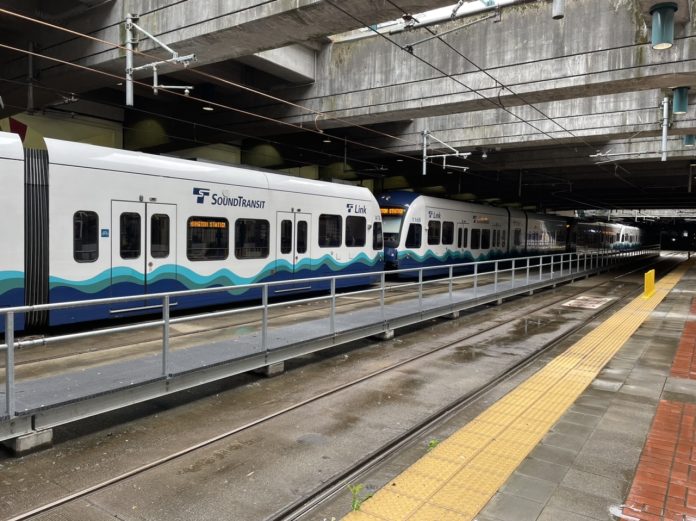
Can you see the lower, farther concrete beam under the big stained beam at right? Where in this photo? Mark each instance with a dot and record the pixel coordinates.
(578, 122)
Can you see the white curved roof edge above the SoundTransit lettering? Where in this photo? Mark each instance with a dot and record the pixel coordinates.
(81, 155)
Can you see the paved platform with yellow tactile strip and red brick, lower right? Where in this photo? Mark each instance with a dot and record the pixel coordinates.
(604, 431)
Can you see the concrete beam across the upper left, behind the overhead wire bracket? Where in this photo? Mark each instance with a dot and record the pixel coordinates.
(214, 31)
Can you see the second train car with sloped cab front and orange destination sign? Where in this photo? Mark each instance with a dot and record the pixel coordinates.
(423, 231)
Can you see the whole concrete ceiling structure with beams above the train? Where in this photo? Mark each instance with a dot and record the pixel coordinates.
(567, 112)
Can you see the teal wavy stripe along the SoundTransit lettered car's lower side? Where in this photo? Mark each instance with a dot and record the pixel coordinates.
(192, 280)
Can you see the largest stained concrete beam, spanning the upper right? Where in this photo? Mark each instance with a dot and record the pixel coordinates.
(528, 59)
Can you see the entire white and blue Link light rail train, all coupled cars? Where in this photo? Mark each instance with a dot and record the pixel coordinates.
(86, 222)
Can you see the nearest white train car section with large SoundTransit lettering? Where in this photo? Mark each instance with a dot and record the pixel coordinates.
(122, 223)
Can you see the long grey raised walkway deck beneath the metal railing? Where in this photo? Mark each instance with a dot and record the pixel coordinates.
(45, 402)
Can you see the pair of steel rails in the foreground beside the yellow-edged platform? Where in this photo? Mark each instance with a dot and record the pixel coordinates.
(337, 482)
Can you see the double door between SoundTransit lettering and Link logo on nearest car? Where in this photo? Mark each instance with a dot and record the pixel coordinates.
(294, 248)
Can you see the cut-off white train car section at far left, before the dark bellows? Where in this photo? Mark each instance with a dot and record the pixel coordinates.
(12, 228)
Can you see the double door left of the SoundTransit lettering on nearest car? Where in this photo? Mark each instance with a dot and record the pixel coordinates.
(143, 251)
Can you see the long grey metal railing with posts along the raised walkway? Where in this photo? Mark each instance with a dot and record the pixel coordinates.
(516, 272)
